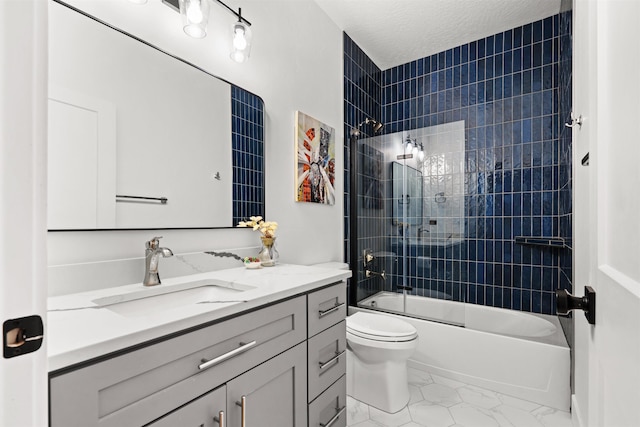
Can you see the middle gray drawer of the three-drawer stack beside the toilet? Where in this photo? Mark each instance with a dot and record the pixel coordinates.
(327, 358)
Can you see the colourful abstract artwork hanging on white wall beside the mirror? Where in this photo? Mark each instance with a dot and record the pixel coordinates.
(315, 161)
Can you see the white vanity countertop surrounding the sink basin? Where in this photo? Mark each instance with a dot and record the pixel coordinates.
(78, 329)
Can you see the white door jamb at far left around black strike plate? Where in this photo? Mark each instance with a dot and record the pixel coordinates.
(23, 144)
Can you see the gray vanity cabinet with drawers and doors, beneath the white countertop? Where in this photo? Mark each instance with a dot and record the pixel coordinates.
(267, 363)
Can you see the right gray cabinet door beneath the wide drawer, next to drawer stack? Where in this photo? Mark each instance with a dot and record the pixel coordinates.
(275, 393)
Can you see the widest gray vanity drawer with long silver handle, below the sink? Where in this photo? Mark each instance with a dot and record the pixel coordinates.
(138, 387)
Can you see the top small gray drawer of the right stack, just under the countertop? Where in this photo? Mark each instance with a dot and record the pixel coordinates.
(326, 307)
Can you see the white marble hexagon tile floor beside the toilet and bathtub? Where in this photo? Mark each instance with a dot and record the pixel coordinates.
(441, 402)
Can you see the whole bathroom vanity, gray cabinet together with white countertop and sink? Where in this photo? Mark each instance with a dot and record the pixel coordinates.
(237, 348)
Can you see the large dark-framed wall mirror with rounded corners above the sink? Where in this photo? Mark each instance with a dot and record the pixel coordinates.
(140, 139)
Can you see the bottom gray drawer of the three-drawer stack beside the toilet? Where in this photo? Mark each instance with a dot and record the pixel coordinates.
(330, 408)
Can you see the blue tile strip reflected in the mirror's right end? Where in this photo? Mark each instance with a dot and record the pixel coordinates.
(247, 138)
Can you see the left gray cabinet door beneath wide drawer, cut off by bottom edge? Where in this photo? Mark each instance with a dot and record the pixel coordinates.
(202, 412)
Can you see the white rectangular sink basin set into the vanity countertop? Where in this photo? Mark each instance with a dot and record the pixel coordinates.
(149, 301)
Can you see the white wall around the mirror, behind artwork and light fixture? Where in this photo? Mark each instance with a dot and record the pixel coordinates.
(295, 64)
